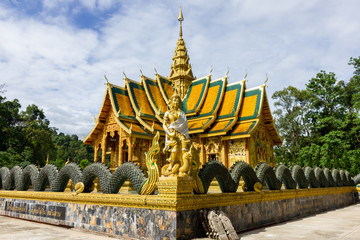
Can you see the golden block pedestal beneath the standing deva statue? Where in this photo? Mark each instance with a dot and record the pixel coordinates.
(172, 187)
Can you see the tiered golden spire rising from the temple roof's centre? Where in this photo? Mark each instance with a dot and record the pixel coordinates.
(181, 73)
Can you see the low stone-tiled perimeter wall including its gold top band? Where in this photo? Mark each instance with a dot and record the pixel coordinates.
(151, 217)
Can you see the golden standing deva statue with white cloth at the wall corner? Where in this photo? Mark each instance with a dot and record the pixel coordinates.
(177, 140)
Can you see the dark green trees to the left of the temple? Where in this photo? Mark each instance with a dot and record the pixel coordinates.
(27, 138)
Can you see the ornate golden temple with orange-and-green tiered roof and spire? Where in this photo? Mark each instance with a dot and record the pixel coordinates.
(227, 121)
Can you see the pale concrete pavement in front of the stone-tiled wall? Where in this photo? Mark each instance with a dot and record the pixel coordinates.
(342, 223)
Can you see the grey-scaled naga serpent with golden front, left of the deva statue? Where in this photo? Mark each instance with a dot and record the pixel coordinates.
(21, 179)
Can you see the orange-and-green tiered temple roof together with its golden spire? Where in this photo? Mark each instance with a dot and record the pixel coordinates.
(212, 107)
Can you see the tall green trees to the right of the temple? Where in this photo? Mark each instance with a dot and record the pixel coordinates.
(320, 125)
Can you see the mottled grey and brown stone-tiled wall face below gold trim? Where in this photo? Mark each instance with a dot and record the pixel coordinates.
(165, 224)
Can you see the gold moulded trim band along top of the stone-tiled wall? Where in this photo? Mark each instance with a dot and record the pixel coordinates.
(174, 203)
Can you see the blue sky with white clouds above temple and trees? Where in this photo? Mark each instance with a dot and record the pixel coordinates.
(54, 54)
